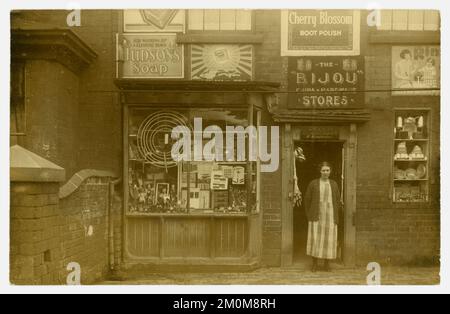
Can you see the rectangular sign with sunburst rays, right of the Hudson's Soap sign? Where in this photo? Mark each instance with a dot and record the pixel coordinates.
(222, 62)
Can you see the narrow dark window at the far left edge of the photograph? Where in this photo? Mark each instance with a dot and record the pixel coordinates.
(17, 117)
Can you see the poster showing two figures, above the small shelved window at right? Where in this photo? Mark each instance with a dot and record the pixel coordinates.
(416, 70)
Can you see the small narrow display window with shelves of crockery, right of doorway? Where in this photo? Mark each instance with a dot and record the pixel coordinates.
(411, 156)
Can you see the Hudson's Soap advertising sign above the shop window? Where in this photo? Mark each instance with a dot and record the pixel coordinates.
(150, 56)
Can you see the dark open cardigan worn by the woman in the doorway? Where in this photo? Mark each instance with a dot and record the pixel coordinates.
(312, 200)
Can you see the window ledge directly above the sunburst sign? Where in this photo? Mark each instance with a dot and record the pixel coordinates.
(219, 38)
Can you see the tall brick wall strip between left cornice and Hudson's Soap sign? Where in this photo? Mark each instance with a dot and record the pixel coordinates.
(100, 147)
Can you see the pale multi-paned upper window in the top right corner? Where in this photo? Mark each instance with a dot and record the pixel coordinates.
(410, 20)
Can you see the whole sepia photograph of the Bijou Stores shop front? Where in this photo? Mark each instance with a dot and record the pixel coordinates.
(297, 147)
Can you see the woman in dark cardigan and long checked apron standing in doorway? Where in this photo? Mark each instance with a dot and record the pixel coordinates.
(323, 205)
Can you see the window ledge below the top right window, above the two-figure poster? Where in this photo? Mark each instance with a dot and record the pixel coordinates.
(404, 37)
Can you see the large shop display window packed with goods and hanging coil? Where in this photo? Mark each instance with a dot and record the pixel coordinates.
(227, 183)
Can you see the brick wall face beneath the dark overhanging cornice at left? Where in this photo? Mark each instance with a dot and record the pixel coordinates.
(52, 94)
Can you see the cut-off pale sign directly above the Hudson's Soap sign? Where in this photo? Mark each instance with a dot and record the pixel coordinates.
(150, 21)
